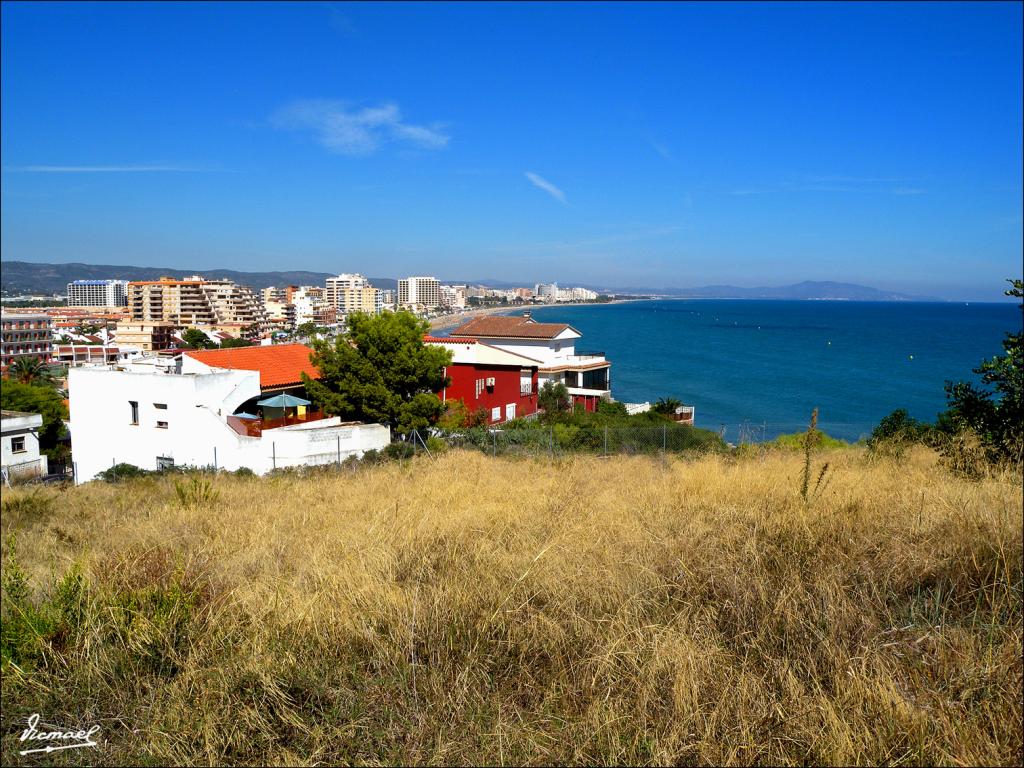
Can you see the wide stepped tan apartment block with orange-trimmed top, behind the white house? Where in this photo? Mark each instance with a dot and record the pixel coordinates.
(196, 302)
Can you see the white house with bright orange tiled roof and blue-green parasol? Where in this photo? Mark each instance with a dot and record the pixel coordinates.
(200, 410)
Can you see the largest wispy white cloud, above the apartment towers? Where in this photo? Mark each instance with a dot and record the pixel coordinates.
(349, 131)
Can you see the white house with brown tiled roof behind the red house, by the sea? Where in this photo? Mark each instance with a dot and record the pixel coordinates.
(586, 375)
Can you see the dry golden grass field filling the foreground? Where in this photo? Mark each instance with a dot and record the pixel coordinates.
(470, 610)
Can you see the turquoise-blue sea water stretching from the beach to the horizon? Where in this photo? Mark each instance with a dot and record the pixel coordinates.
(758, 368)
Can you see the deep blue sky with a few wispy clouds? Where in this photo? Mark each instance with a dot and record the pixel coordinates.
(602, 144)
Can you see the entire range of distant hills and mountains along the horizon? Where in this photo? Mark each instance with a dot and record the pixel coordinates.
(21, 278)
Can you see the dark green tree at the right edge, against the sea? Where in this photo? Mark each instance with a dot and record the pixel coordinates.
(996, 411)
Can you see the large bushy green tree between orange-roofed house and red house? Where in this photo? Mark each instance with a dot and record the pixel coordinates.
(380, 371)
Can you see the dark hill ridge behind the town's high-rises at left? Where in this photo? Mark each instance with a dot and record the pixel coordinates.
(18, 278)
